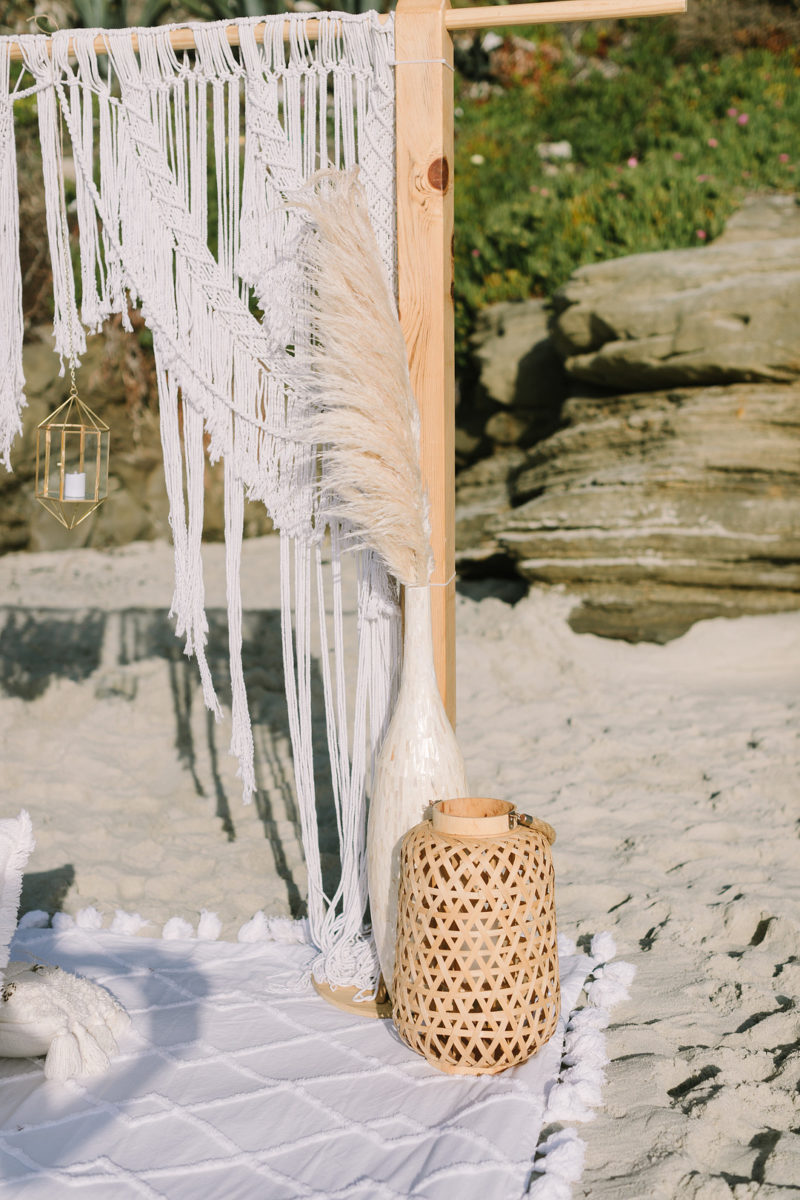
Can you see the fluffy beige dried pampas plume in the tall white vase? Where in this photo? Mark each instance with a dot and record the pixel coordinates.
(369, 424)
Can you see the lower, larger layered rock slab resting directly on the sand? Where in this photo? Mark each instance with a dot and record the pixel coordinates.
(665, 508)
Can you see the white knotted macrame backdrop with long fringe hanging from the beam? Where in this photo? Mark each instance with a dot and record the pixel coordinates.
(184, 164)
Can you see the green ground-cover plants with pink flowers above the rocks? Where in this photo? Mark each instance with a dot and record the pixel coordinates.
(664, 139)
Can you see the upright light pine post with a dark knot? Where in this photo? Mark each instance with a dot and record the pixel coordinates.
(424, 82)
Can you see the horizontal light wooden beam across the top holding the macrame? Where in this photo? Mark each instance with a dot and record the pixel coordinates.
(488, 17)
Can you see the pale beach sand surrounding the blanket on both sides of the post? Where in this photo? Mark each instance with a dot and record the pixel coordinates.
(671, 775)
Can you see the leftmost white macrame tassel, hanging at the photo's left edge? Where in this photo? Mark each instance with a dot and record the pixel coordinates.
(13, 397)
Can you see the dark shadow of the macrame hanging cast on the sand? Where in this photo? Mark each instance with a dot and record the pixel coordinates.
(39, 646)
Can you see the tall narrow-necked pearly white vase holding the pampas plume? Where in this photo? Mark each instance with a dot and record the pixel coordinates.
(419, 763)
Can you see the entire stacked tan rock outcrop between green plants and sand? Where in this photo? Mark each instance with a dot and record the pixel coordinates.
(677, 495)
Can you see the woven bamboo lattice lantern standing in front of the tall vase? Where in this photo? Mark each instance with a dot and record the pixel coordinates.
(477, 985)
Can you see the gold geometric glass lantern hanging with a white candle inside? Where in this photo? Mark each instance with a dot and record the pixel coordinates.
(73, 463)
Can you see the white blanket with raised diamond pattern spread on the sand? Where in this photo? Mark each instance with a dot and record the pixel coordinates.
(238, 1083)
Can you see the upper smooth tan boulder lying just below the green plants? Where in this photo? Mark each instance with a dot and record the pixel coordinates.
(676, 319)
